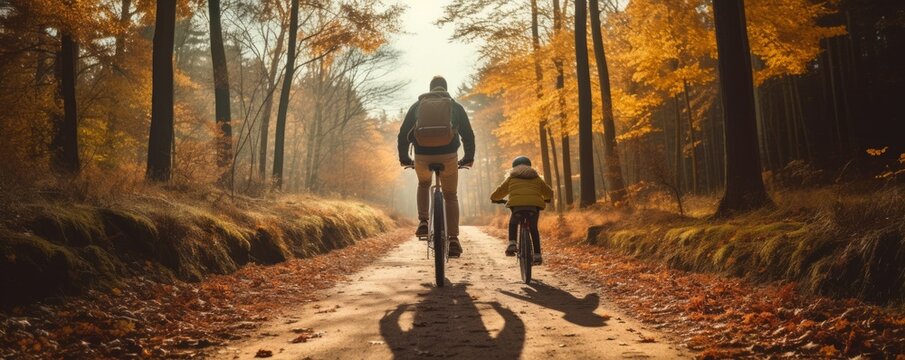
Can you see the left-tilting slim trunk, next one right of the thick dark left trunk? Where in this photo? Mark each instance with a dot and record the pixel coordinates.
(221, 91)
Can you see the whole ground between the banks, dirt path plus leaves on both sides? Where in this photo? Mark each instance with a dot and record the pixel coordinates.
(588, 303)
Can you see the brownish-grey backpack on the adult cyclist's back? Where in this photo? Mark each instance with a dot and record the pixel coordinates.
(433, 120)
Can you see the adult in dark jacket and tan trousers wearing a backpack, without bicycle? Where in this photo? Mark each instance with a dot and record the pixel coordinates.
(437, 126)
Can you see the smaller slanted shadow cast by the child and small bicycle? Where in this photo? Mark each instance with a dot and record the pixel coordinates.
(577, 311)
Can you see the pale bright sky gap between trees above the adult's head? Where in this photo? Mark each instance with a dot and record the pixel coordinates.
(427, 51)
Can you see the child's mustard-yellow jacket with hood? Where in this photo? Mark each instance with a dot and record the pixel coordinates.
(524, 188)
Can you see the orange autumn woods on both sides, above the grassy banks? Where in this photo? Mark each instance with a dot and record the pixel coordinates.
(291, 95)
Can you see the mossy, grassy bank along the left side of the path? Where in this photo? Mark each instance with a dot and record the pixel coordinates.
(58, 243)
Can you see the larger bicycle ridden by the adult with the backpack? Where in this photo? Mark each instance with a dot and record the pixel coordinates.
(437, 239)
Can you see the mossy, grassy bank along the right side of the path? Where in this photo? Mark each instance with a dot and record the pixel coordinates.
(840, 241)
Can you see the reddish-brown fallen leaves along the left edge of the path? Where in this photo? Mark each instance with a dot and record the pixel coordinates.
(144, 318)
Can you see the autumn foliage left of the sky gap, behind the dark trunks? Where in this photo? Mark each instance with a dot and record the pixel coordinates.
(339, 82)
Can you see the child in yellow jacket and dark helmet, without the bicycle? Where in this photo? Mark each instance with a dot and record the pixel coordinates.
(526, 191)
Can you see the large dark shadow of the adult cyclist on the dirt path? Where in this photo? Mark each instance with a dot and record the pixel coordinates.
(449, 323)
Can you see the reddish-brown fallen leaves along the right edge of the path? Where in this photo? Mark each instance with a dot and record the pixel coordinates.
(728, 317)
